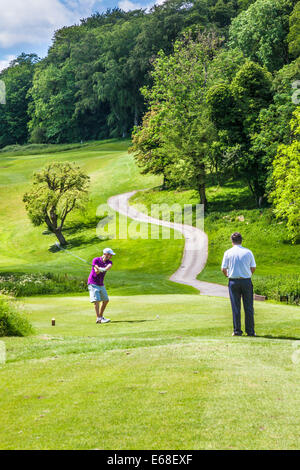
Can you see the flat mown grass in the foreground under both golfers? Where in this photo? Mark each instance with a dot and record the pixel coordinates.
(179, 381)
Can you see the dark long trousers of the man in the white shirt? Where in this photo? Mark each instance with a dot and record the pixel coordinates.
(242, 288)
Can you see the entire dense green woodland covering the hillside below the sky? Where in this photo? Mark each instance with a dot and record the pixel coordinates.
(202, 86)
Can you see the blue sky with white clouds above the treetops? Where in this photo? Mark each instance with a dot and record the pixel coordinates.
(28, 25)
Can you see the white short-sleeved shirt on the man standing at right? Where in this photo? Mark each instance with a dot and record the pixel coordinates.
(238, 261)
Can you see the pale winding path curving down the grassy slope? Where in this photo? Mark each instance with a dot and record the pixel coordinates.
(195, 249)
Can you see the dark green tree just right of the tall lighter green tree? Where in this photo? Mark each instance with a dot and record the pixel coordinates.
(234, 109)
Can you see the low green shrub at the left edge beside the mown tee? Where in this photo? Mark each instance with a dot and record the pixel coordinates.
(11, 322)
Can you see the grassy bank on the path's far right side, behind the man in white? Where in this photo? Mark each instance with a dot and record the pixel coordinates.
(262, 234)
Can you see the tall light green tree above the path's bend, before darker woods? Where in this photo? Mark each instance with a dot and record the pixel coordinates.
(178, 94)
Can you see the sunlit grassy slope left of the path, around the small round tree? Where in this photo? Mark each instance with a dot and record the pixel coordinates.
(140, 267)
